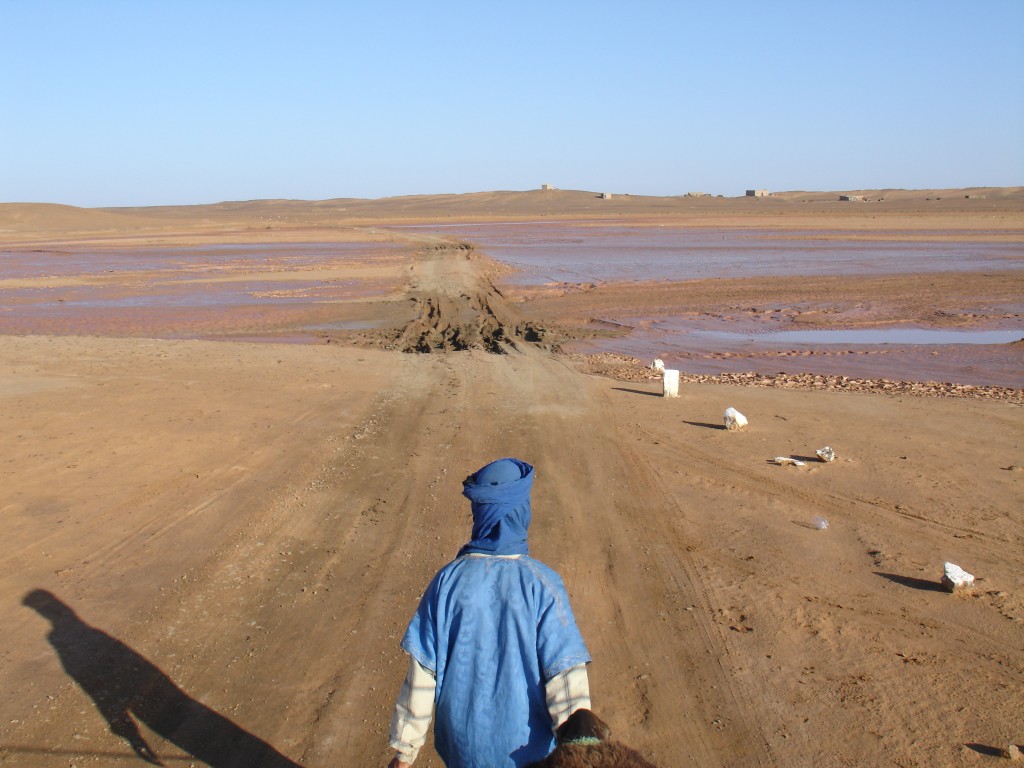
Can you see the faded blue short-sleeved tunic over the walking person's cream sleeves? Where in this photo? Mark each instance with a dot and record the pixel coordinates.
(494, 630)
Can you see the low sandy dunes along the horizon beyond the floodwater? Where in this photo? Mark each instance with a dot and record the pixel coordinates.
(278, 220)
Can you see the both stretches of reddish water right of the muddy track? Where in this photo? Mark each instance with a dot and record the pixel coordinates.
(559, 252)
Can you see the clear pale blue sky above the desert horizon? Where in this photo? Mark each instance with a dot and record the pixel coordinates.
(153, 103)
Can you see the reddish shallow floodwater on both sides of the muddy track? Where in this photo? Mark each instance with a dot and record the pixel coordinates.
(152, 293)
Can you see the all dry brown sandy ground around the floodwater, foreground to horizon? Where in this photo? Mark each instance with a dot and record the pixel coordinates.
(211, 548)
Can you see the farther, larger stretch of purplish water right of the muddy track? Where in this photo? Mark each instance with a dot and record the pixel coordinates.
(568, 253)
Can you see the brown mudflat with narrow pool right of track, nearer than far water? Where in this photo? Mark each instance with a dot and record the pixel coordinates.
(730, 326)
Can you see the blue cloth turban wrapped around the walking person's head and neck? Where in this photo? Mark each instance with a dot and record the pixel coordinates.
(500, 497)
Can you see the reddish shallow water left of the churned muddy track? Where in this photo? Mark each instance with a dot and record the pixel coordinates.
(159, 291)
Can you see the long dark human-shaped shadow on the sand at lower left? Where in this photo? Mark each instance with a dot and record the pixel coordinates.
(123, 685)
